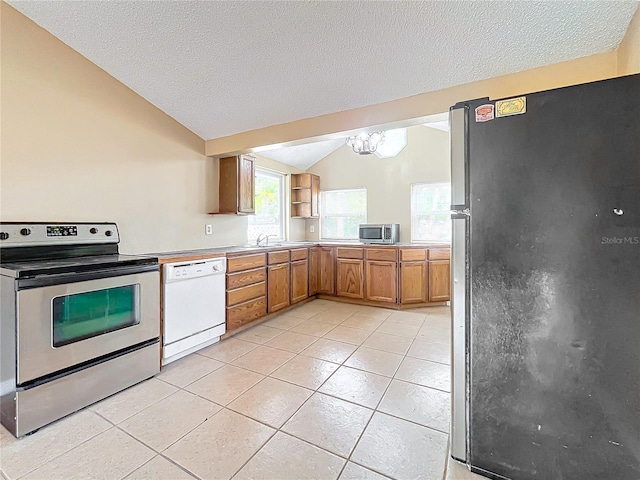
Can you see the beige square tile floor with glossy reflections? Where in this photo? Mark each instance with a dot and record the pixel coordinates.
(324, 391)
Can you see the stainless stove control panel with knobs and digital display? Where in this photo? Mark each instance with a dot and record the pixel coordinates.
(41, 233)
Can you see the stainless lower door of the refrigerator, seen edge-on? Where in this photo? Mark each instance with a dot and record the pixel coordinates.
(459, 415)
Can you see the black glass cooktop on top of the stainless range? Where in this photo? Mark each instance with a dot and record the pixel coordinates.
(32, 268)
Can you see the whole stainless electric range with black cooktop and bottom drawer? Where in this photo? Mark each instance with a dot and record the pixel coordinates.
(78, 321)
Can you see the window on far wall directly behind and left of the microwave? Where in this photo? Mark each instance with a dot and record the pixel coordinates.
(341, 212)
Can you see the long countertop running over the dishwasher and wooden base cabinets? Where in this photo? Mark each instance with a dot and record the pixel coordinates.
(200, 254)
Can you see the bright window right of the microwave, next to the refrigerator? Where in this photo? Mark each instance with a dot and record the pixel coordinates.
(430, 212)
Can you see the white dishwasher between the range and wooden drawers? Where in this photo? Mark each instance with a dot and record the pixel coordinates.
(193, 306)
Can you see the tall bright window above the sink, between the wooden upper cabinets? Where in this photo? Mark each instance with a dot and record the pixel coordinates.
(269, 217)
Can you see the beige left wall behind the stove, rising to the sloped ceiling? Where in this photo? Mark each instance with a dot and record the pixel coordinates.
(77, 145)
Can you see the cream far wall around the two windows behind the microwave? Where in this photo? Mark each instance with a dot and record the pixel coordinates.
(388, 180)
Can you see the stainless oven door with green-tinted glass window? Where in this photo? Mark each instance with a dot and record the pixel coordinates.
(65, 323)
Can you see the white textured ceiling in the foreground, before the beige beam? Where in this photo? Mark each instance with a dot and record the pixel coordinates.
(223, 67)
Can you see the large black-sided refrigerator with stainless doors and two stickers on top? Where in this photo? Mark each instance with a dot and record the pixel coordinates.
(546, 283)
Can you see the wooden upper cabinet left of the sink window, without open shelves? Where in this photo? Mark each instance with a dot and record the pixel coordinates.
(237, 185)
